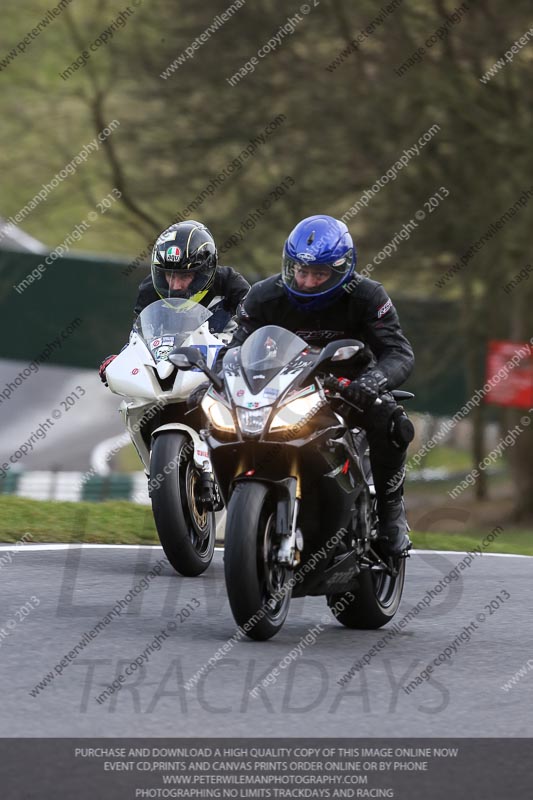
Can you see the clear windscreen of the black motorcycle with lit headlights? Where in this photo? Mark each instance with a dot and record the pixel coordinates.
(267, 351)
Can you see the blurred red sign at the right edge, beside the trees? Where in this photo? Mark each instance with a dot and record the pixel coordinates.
(509, 374)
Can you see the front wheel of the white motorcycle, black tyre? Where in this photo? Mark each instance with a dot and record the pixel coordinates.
(185, 527)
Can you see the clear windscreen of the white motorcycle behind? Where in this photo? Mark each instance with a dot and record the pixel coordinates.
(167, 323)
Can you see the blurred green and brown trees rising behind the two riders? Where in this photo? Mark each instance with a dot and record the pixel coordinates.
(344, 128)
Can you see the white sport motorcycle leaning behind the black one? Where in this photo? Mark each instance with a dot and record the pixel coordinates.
(182, 489)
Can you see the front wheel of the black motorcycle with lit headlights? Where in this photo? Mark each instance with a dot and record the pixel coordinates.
(258, 588)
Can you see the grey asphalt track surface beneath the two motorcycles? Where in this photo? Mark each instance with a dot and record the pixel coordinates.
(76, 586)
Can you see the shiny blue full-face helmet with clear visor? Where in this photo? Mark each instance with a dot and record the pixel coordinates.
(318, 261)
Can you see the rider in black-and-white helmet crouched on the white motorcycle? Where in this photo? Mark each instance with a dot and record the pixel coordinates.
(185, 265)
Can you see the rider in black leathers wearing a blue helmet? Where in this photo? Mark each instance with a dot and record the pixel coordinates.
(320, 297)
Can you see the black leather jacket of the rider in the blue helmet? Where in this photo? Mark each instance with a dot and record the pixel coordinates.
(365, 313)
